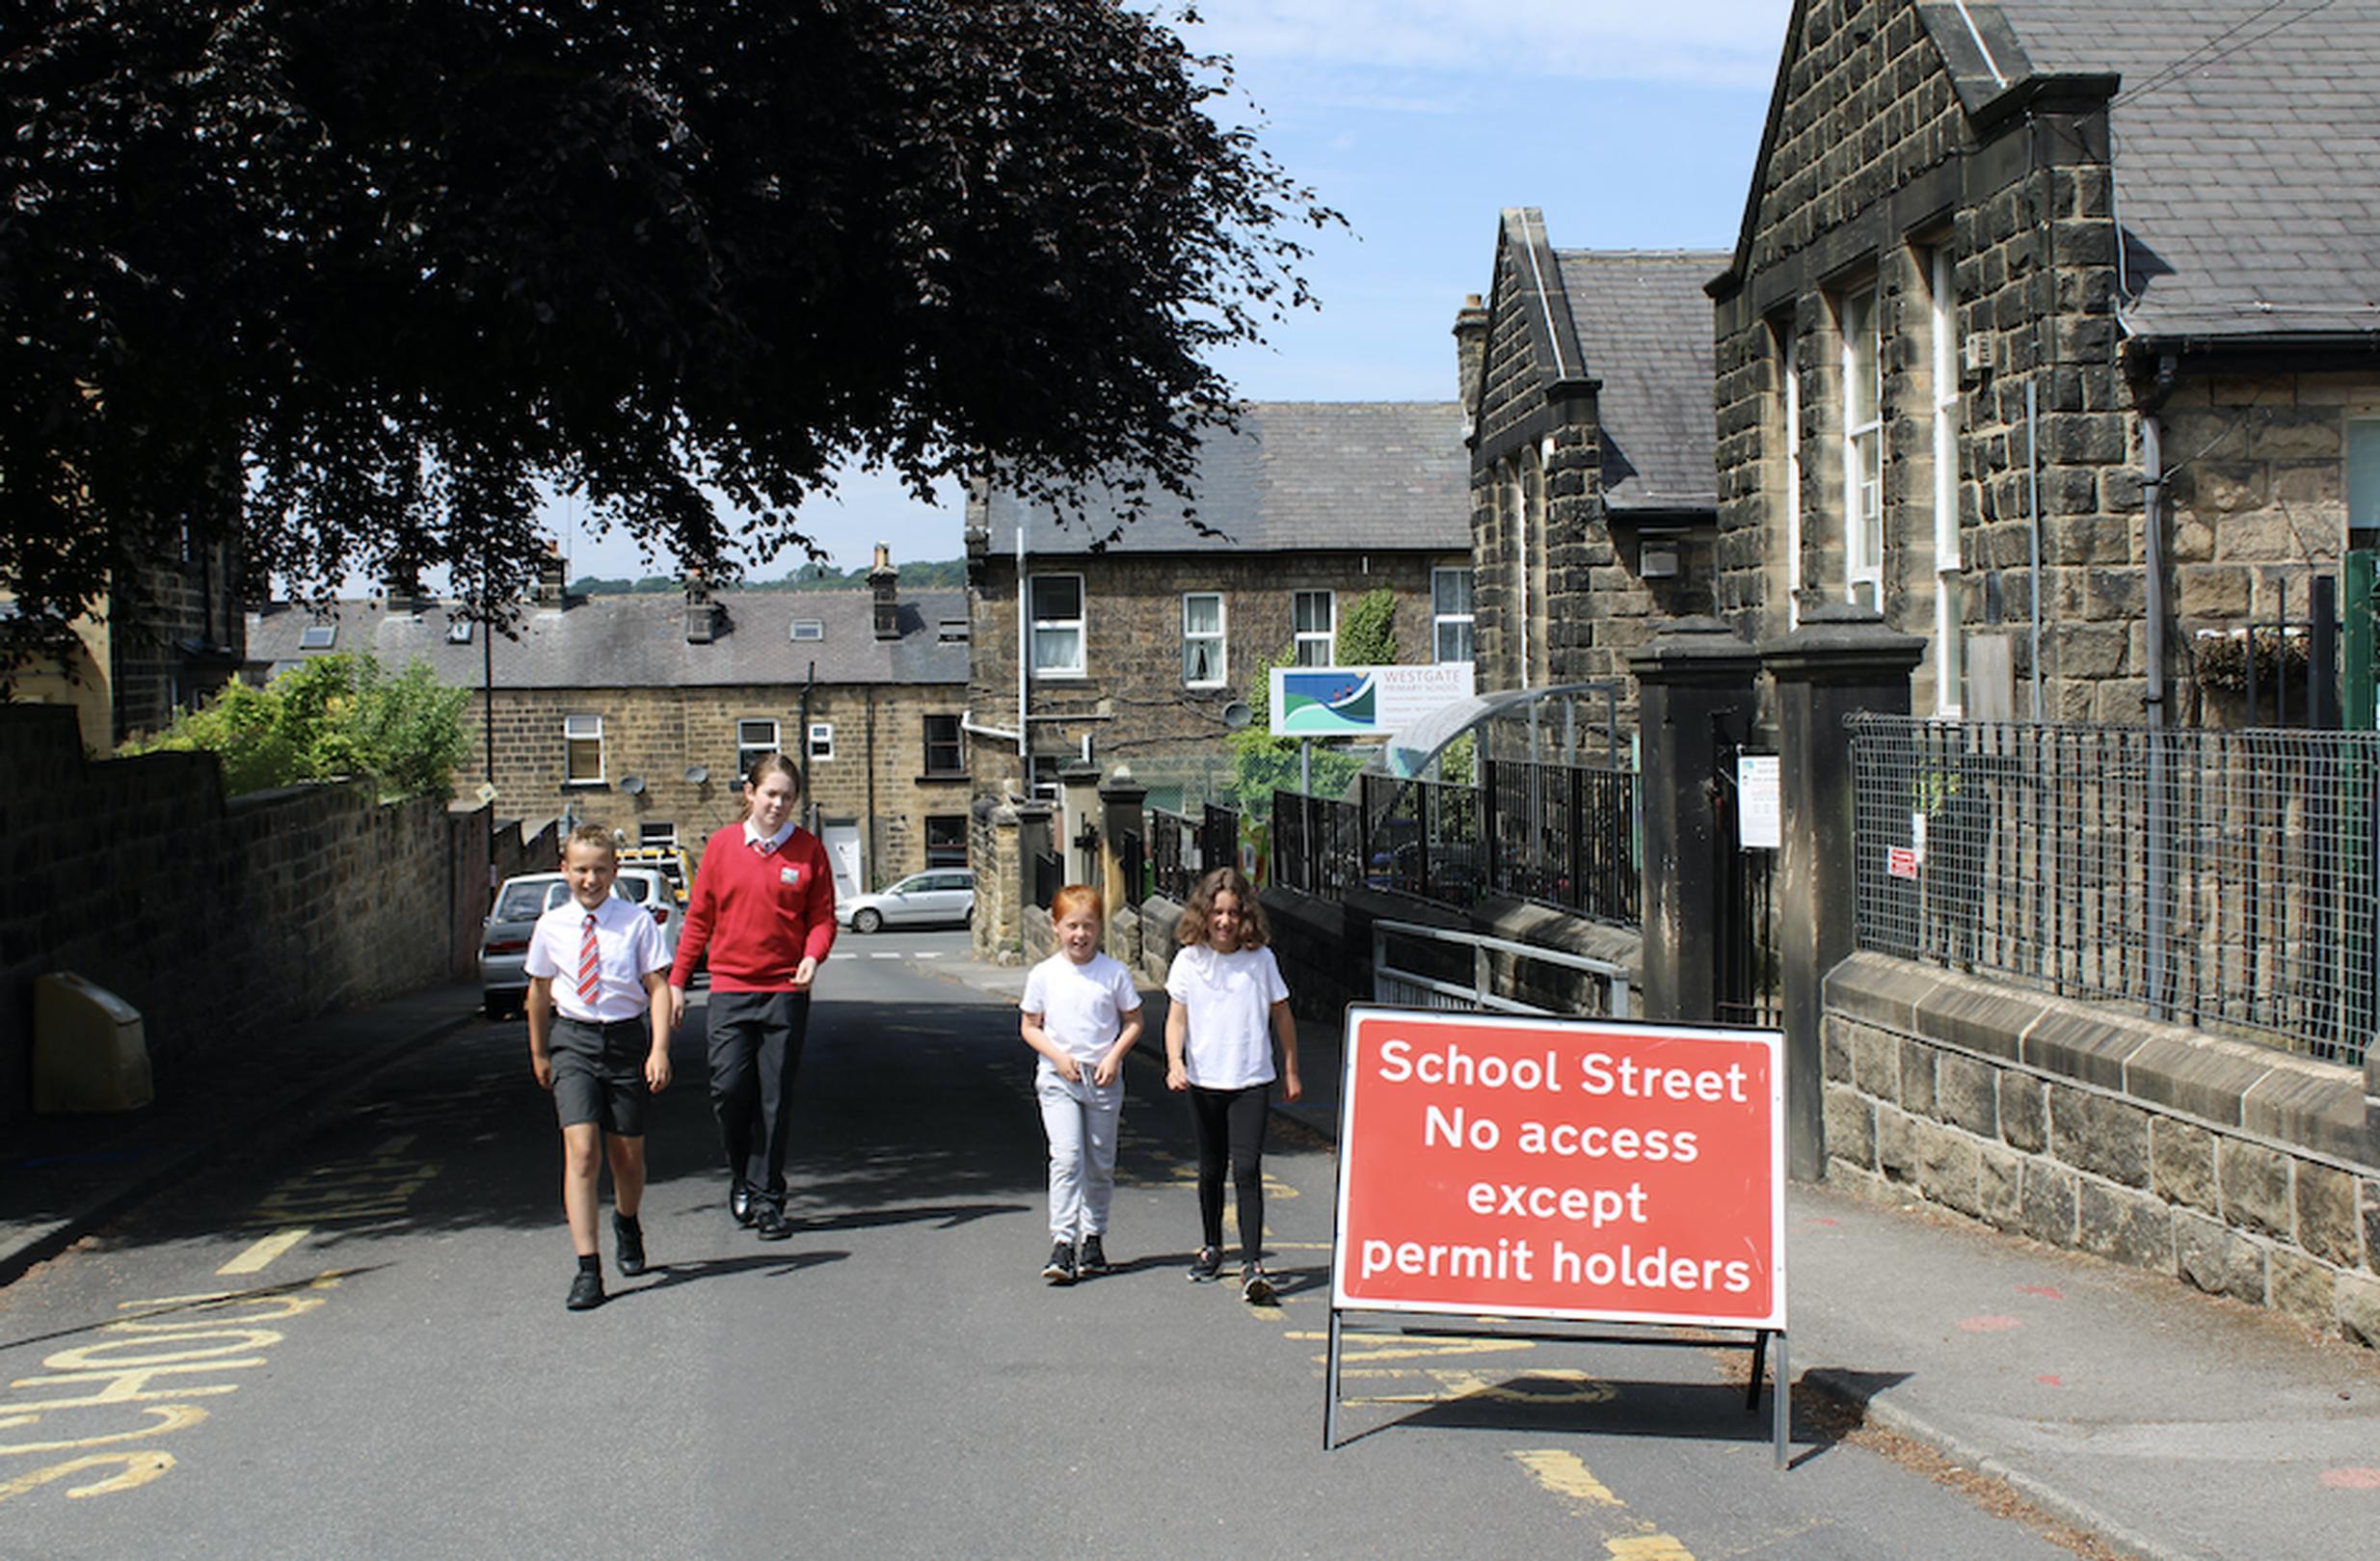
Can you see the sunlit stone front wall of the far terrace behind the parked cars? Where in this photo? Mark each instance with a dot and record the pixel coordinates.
(877, 775)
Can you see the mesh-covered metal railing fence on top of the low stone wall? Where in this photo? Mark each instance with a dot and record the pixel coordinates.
(2212, 877)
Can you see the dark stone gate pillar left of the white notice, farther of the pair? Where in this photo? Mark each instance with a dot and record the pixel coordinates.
(1696, 696)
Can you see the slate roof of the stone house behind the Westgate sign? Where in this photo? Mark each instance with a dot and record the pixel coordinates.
(1298, 477)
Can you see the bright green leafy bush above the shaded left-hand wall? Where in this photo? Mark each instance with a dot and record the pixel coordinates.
(325, 720)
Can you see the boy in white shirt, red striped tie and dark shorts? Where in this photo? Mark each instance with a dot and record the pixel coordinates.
(601, 963)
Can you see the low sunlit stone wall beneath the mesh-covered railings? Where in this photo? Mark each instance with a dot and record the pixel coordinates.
(2238, 1170)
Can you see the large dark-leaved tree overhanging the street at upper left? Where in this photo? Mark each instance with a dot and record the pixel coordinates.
(353, 277)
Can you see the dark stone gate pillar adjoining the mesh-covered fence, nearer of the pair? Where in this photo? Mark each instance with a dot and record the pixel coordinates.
(1839, 663)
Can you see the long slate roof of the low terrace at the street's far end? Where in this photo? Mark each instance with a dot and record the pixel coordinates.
(639, 641)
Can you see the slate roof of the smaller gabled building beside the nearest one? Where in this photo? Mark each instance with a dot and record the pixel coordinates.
(1646, 332)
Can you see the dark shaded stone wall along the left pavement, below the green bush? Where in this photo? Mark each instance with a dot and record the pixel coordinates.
(211, 917)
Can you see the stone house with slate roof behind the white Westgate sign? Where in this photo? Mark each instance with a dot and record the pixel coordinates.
(1136, 651)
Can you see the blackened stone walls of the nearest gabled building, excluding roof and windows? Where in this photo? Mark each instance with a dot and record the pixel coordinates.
(1872, 170)
